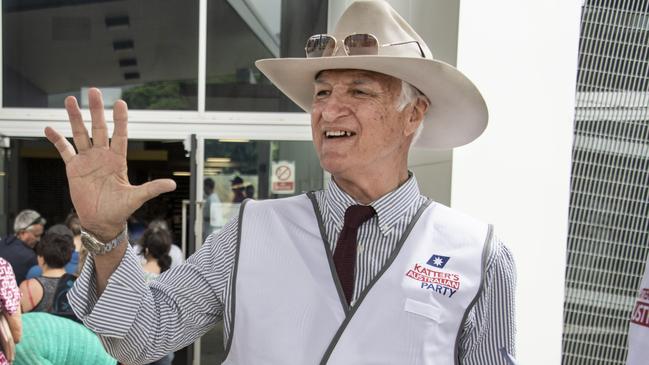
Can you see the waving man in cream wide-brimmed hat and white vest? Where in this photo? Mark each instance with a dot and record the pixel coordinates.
(365, 272)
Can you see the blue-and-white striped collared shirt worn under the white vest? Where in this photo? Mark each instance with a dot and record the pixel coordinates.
(140, 322)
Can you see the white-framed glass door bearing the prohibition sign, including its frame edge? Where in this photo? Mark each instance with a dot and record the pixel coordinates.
(229, 171)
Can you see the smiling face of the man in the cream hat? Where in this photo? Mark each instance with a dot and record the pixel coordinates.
(355, 122)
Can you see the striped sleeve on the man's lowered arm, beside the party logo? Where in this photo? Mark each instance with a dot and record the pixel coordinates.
(490, 329)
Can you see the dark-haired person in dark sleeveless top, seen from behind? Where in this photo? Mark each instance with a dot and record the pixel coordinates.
(44, 293)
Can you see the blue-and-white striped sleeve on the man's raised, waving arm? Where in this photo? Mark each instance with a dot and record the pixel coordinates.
(138, 322)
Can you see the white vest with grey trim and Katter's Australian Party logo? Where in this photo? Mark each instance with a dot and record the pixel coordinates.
(289, 309)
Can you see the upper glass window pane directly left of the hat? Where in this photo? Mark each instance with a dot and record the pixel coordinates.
(239, 32)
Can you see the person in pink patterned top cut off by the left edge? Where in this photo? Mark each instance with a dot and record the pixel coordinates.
(9, 304)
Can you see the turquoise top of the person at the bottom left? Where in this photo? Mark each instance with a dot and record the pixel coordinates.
(52, 340)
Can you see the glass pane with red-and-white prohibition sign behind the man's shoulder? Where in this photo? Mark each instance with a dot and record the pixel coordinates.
(236, 170)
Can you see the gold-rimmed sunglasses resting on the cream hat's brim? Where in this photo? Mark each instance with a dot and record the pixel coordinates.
(361, 44)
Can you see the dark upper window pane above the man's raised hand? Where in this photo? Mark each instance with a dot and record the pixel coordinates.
(144, 51)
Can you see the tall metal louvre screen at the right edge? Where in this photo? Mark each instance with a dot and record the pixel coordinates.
(608, 238)
